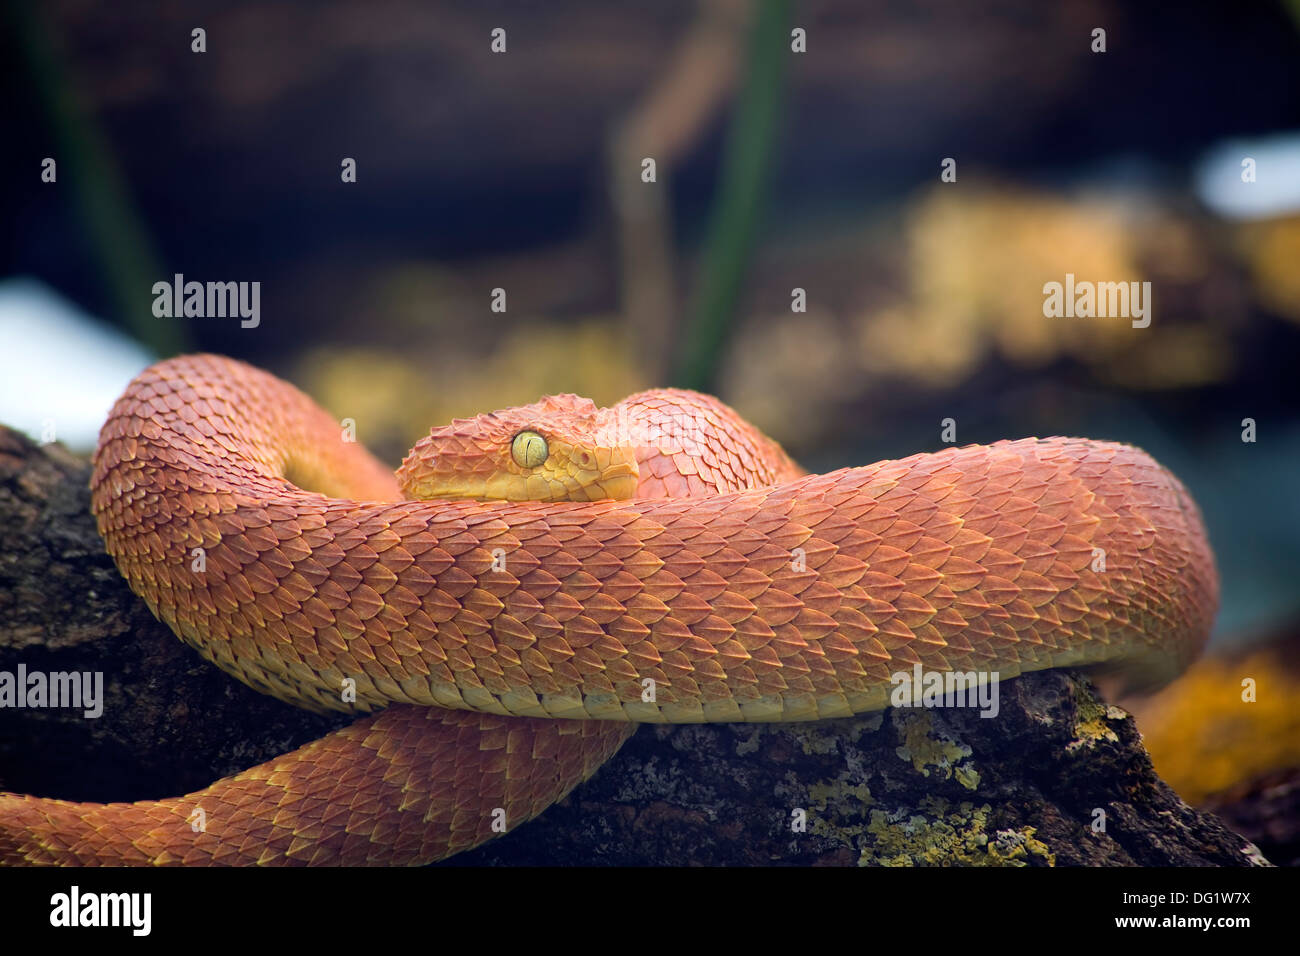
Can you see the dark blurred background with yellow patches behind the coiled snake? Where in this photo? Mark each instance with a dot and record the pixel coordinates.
(795, 146)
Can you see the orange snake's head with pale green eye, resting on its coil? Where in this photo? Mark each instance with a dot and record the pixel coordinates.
(562, 448)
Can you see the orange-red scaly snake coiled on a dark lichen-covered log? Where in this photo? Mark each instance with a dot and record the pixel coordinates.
(535, 583)
